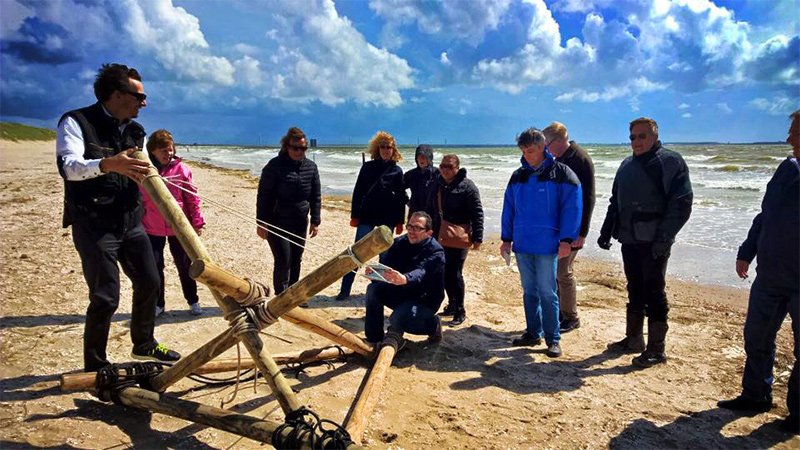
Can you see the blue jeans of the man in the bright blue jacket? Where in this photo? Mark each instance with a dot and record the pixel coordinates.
(538, 276)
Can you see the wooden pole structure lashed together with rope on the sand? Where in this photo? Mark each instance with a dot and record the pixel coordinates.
(235, 298)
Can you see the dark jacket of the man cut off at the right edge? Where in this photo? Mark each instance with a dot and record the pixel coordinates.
(775, 233)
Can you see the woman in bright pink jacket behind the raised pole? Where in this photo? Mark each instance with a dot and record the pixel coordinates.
(161, 148)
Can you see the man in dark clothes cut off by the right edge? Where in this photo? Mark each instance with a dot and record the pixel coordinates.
(775, 238)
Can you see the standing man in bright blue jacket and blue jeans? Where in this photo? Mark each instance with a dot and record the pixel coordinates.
(540, 220)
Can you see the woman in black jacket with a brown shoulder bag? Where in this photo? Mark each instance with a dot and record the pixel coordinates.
(459, 202)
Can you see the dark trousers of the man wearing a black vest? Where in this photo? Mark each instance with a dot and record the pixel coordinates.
(99, 251)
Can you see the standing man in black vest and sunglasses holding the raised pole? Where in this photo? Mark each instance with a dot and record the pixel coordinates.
(103, 205)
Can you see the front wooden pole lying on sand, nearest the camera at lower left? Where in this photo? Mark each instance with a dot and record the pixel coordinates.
(239, 424)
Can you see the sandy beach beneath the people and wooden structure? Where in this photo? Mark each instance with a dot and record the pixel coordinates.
(471, 391)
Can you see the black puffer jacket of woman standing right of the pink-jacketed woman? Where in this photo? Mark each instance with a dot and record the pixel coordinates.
(288, 191)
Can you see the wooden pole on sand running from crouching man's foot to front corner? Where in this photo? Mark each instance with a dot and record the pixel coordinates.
(370, 390)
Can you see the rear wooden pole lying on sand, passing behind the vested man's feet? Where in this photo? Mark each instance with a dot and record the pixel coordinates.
(84, 381)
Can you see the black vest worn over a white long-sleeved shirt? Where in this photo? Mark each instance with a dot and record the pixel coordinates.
(110, 201)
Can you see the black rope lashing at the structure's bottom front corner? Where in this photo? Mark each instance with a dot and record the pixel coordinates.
(304, 426)
